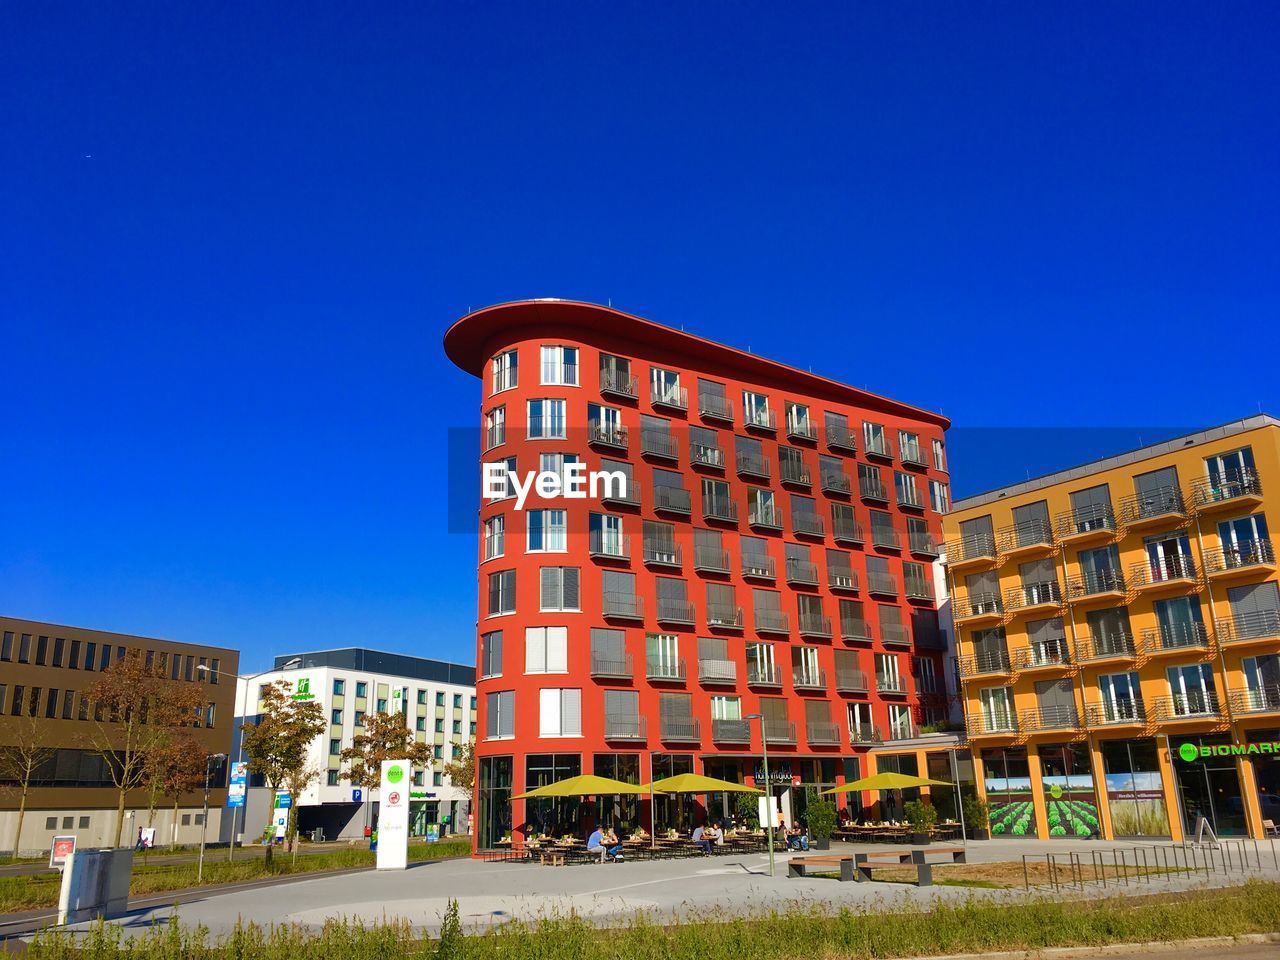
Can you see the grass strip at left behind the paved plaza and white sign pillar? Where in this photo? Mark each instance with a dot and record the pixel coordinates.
(34, 893)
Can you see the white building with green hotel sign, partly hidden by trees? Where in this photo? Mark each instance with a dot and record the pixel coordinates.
(440, 702)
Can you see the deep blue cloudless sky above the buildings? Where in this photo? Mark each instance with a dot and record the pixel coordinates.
(234, 239)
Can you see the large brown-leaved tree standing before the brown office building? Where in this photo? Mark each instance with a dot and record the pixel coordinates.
(136, 711)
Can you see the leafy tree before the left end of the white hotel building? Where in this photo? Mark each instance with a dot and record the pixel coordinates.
(277, 746)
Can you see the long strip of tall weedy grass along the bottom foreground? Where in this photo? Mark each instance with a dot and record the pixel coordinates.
(900, 931)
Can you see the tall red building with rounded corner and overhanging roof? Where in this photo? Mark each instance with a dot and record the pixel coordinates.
(774, 556)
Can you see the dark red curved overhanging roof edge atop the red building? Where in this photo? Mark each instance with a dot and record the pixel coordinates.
(468, 341)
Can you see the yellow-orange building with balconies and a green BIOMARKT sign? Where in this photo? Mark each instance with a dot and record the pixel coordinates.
(1118, 636)
